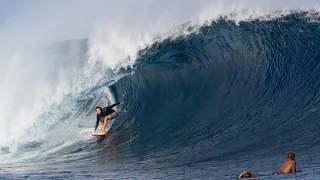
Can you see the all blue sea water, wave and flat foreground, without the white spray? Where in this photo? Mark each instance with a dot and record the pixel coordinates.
(228, 98)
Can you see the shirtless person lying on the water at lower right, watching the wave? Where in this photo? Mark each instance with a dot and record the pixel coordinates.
(289, 166)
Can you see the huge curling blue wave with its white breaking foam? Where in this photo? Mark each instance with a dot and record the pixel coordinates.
(224, 91)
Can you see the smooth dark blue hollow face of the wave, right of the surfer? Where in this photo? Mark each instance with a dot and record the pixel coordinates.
(227, 92)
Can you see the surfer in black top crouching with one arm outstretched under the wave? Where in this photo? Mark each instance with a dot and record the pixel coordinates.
(105, 114)
